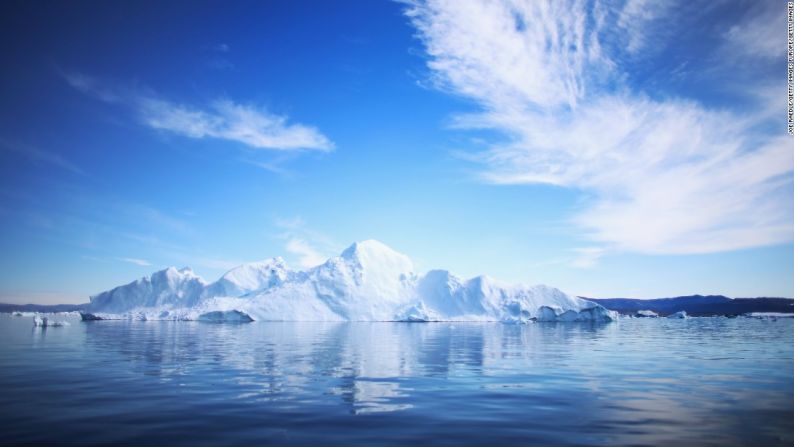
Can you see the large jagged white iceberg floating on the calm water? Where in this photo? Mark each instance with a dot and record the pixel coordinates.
(367, 282)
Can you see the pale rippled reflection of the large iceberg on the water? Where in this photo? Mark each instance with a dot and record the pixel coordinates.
(365, 365)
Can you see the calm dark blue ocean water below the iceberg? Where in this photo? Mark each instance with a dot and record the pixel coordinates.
(689, 382)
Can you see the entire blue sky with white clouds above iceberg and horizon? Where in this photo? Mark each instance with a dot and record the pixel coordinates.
(607, 148)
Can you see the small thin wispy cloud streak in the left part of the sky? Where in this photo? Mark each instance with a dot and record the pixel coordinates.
(222, 119)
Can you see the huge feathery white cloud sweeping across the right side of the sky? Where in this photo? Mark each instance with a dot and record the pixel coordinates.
(663, 173)
